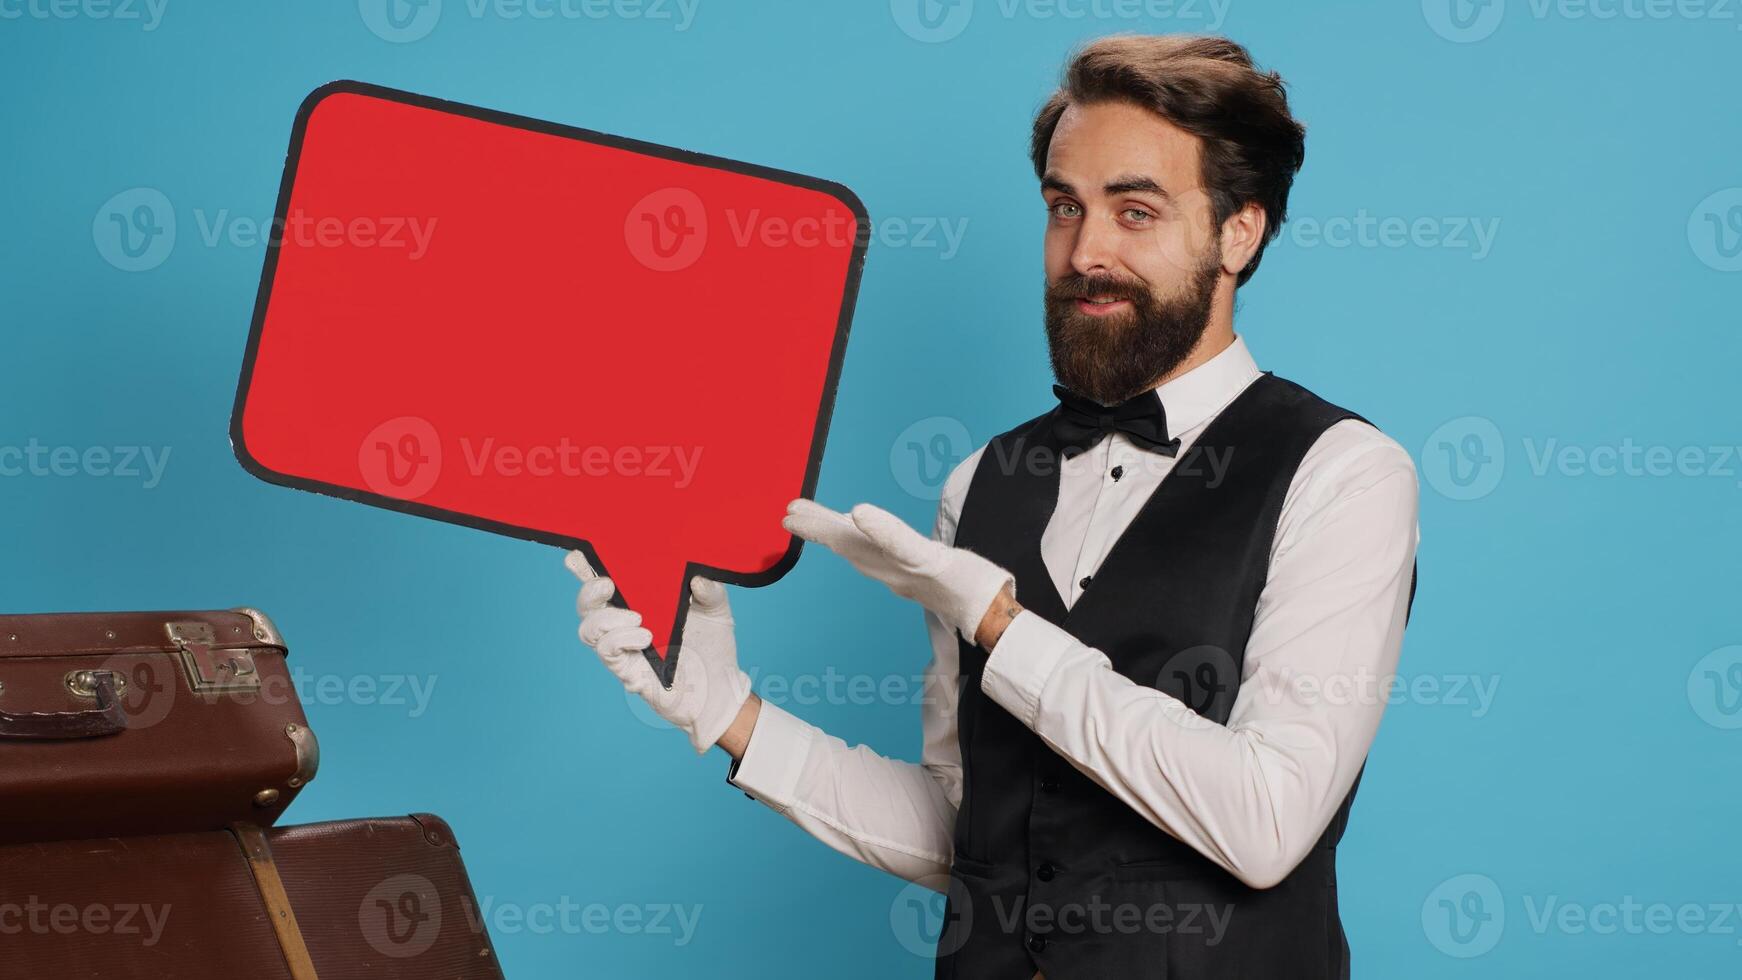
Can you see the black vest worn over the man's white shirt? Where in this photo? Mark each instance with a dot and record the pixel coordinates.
(1051, 871)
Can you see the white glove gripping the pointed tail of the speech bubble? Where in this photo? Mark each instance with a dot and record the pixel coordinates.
(708, 688)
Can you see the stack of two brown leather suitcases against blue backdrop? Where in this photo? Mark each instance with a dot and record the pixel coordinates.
(144, 763)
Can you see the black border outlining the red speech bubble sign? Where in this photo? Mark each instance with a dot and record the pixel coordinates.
(663, 668)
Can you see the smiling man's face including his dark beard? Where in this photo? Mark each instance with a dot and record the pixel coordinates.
(1133, 253)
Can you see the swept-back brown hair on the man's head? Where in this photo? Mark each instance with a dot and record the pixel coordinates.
(1206, 86)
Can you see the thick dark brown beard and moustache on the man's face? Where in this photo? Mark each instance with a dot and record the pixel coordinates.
(1112, 359)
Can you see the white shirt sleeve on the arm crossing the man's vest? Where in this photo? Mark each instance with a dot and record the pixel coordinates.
(1255, 795)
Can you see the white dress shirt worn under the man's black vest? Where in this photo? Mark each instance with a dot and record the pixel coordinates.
(1252, 796)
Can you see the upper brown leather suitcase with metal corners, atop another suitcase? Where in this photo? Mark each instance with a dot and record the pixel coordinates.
(147, 723)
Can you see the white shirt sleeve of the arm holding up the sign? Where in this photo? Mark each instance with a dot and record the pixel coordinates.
(889, 814)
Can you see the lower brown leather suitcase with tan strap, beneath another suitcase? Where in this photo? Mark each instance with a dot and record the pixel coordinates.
(349, 901)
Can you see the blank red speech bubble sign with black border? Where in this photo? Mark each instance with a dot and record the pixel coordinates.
(551, 333)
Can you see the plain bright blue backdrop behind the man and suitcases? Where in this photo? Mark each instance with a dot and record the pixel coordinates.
(1600, 610)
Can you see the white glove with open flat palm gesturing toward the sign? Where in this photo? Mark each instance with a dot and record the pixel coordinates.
(955, 584)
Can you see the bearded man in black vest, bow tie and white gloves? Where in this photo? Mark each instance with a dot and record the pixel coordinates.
(1163, 614)
